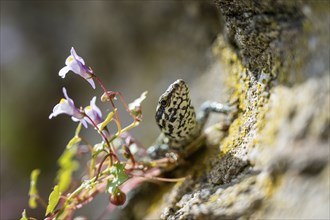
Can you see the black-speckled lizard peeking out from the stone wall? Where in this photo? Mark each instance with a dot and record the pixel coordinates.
(181, 127)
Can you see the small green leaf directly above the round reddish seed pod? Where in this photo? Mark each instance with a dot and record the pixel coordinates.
(118, 171)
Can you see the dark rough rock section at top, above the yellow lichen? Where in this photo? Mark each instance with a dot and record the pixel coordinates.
(258, 30)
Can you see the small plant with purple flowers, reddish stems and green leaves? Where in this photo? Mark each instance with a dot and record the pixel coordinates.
(112, 162)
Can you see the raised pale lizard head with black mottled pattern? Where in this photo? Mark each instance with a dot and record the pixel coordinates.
(174, 114)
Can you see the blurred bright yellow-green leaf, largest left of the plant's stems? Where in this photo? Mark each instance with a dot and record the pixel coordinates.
(67, 167)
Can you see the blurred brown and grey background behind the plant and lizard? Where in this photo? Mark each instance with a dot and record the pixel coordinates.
(132, 46)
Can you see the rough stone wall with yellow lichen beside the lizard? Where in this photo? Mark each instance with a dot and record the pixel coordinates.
(274, 160)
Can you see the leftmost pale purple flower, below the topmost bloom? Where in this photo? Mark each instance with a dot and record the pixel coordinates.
(66, 106)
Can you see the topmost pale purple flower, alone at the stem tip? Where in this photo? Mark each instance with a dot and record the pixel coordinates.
(77, 65)
